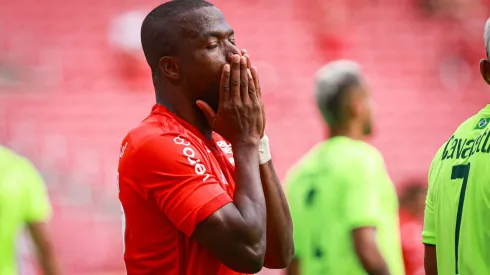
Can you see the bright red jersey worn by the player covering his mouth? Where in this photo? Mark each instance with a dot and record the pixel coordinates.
(170, 179)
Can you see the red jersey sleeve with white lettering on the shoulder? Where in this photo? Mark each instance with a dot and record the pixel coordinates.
(175, 174)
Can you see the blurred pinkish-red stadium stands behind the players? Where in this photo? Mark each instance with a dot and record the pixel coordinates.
(73, 81)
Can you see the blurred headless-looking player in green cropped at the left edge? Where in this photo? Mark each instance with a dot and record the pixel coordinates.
(23, 202)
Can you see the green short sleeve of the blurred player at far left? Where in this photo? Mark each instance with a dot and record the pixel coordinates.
(36, 205)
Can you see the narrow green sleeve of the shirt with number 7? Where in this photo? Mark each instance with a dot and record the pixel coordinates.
(428, 234)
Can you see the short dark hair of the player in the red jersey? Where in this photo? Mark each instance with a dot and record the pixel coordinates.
(160, 30)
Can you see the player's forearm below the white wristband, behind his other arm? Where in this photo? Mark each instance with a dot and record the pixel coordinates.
(280, 247)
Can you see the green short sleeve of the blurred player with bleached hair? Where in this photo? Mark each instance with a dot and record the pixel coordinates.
(361, 194)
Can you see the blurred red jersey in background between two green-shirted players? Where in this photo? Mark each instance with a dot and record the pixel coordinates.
(412, 246)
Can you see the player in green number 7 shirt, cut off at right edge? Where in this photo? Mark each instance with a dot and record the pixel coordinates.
(457, 213)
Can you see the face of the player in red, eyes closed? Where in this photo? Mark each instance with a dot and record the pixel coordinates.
(211, 45)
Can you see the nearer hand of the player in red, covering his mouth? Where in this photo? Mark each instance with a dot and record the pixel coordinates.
(239, 117)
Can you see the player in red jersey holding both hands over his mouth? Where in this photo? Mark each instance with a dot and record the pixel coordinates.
(198, 189)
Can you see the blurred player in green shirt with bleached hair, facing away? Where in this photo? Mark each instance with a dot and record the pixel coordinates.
(343, 203)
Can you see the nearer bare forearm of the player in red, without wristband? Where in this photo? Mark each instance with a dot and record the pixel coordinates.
(249, 195)
